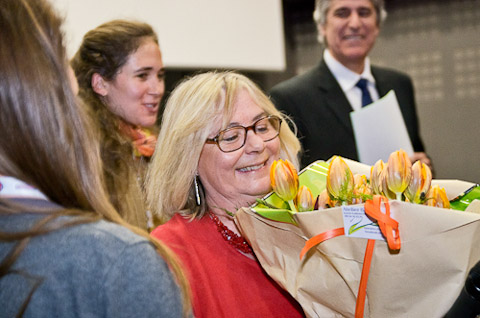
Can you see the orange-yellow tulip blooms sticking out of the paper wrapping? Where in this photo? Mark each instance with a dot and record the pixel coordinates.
(398, 179)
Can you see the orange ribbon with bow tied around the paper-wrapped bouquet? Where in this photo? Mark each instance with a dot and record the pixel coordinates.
(388, 227)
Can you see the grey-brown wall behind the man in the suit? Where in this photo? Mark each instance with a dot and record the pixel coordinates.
(438, 44)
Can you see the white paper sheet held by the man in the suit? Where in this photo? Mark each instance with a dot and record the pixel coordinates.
(379, 130)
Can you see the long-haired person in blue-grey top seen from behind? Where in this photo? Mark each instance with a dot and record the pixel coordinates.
(64, 250)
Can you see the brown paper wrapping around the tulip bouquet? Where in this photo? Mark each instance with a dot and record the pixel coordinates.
(423, 279)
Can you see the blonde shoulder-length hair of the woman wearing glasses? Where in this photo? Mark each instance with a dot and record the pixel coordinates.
(187, 120)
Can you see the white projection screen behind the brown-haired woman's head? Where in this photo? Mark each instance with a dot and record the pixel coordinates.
(231, 34)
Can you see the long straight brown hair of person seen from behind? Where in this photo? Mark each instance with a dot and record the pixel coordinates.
(46, 138)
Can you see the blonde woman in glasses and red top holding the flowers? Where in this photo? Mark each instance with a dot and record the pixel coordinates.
(219, 136)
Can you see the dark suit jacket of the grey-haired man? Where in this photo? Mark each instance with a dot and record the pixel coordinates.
(320, 109)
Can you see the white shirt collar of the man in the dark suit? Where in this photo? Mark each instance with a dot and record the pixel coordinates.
(345, 77)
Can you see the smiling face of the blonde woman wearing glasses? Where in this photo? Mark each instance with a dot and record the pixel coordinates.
(236, 179)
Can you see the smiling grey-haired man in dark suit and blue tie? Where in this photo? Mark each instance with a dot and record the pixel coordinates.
(319, 101)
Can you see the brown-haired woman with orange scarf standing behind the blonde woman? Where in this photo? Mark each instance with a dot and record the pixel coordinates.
(120, 72)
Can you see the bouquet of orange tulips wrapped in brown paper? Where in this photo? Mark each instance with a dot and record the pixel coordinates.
(420, 278)
